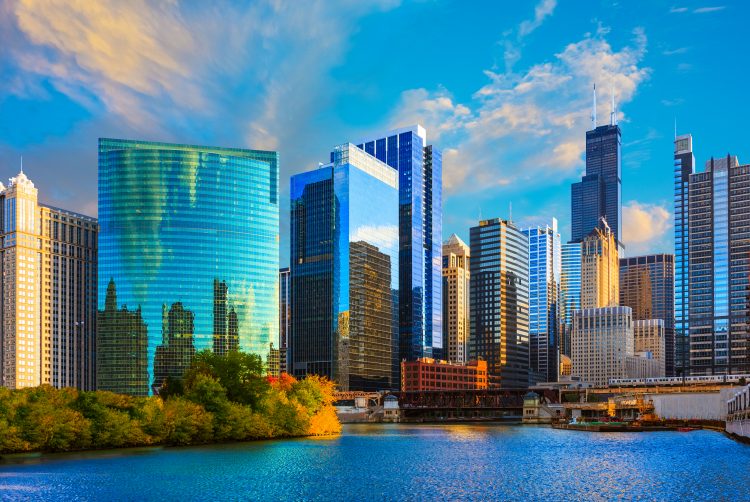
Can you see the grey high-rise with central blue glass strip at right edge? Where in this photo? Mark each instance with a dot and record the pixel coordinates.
(719, 268)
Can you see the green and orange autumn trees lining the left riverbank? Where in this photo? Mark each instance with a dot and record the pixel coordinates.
(219, 398)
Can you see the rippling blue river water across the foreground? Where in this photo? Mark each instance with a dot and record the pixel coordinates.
(403, 462)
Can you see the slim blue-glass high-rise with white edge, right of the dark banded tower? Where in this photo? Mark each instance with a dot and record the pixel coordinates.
(545, 271)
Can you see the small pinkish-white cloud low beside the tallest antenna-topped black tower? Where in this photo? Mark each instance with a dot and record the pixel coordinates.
(645, 227)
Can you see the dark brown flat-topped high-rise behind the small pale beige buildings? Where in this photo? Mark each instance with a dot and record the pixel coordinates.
(647, 286)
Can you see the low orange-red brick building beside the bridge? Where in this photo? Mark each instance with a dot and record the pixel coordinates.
(429, 374)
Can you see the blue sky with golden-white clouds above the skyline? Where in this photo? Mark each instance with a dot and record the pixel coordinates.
(503, 88)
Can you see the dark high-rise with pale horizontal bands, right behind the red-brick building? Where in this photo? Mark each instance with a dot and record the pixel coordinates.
(500, 302)
